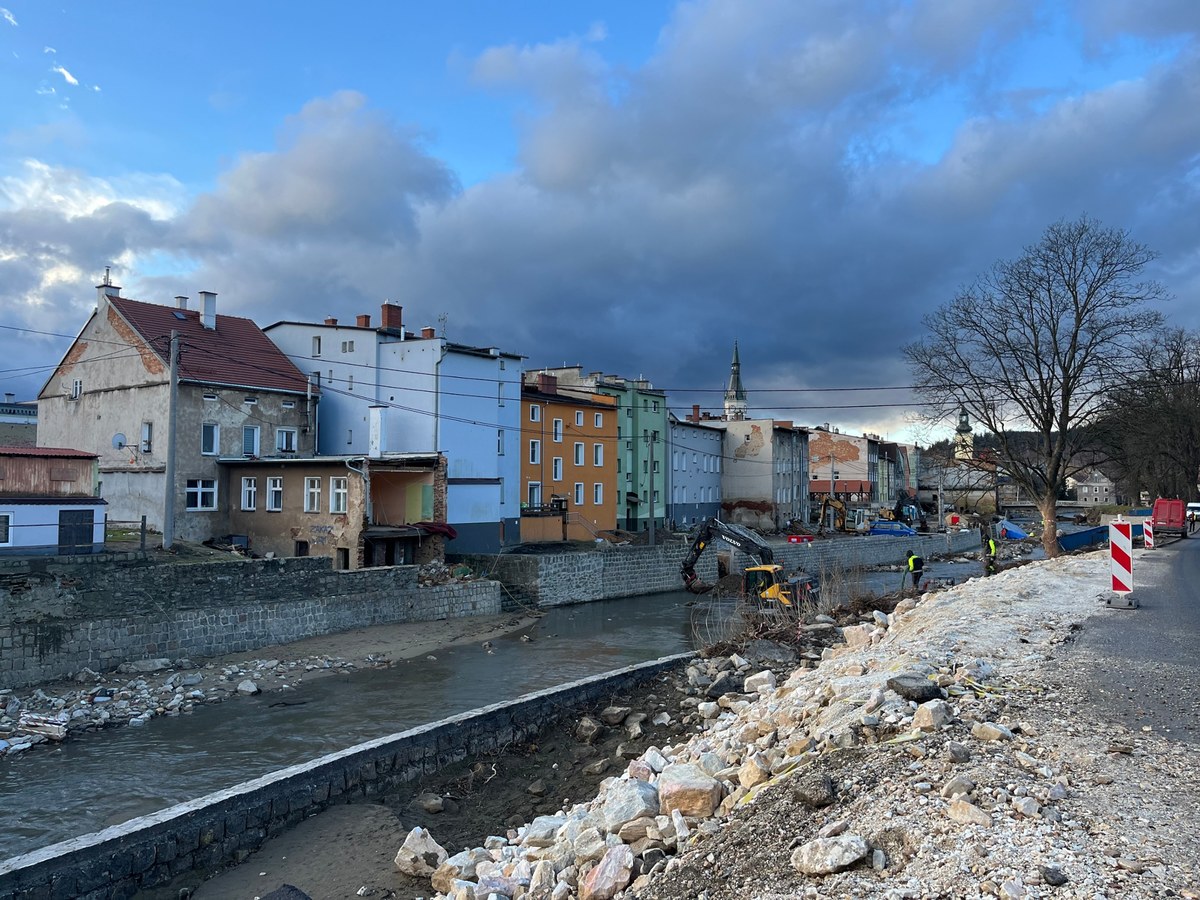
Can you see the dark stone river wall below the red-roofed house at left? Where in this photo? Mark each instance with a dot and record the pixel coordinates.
(61, 615)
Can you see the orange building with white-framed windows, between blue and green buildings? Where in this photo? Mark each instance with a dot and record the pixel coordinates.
(569, 461)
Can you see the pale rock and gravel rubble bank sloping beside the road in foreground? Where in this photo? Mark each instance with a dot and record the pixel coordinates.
(923, 759)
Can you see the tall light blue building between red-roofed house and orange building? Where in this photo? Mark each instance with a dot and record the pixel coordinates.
(386, 391)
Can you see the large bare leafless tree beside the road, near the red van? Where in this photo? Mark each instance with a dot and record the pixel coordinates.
(1034, 346)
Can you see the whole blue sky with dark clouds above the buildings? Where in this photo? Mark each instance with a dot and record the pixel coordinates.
(627, 187)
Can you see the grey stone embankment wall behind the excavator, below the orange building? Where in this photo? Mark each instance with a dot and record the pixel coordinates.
(559, 579)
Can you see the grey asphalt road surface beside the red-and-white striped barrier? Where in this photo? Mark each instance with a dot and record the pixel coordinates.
(1143, 665)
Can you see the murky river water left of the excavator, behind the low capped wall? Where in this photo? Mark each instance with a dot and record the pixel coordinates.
(113, 776)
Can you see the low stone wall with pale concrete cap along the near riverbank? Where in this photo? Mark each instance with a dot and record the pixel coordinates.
(227, 826)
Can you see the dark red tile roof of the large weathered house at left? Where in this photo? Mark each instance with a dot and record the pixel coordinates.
(236, 353)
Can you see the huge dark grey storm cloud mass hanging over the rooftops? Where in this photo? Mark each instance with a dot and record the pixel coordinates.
(765, 178)
